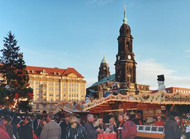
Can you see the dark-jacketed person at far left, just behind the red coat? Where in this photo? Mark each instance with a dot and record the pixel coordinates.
(7, 123)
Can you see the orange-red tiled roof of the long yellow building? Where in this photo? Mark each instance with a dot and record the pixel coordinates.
(53, 71)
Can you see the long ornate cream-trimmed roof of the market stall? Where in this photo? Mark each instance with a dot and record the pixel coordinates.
(144, 100)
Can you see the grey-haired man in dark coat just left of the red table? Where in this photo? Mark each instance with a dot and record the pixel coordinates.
(91, 132)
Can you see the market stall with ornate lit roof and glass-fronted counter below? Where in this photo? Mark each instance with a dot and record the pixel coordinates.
(151, 105)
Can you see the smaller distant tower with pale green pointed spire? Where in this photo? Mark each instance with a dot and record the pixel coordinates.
(103, 70)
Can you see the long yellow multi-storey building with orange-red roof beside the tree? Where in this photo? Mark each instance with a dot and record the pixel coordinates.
(53, 85)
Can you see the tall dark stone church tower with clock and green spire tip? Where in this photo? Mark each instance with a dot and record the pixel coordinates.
(125, 65)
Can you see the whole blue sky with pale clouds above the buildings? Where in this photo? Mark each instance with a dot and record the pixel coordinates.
(78, 33)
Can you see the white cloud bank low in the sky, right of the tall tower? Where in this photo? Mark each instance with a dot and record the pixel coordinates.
(148, 70)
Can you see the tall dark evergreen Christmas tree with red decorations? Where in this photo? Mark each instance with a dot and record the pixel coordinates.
(15, 86)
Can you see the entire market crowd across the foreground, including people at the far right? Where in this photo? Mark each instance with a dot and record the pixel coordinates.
(69, 126)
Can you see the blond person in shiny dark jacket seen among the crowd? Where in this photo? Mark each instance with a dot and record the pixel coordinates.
(75, 131)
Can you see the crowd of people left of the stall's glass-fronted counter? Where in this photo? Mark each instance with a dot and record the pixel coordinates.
(65, 127)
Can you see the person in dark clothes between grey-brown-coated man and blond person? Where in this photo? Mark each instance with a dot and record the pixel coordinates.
(64, 124)
